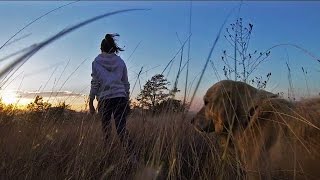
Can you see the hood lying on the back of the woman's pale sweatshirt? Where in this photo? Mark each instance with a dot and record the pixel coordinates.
(109, 61)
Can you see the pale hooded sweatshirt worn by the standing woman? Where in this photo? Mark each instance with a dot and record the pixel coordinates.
(109, 77)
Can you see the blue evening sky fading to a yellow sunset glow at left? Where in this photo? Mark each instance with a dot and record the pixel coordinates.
(150, 39)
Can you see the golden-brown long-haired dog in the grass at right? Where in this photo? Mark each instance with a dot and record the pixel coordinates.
(273, 138)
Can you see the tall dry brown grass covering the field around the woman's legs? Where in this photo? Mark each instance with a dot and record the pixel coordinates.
(168, 147)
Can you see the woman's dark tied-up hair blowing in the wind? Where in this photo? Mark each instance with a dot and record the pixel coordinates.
(109, 45)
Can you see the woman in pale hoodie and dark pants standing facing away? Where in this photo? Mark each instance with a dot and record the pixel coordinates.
(110, 86)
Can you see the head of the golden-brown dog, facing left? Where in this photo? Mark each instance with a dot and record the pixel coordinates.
(228, 105)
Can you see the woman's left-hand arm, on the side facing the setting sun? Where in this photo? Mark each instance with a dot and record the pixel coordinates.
(95, 84)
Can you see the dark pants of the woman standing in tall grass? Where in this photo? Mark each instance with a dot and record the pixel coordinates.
(119, 107)
